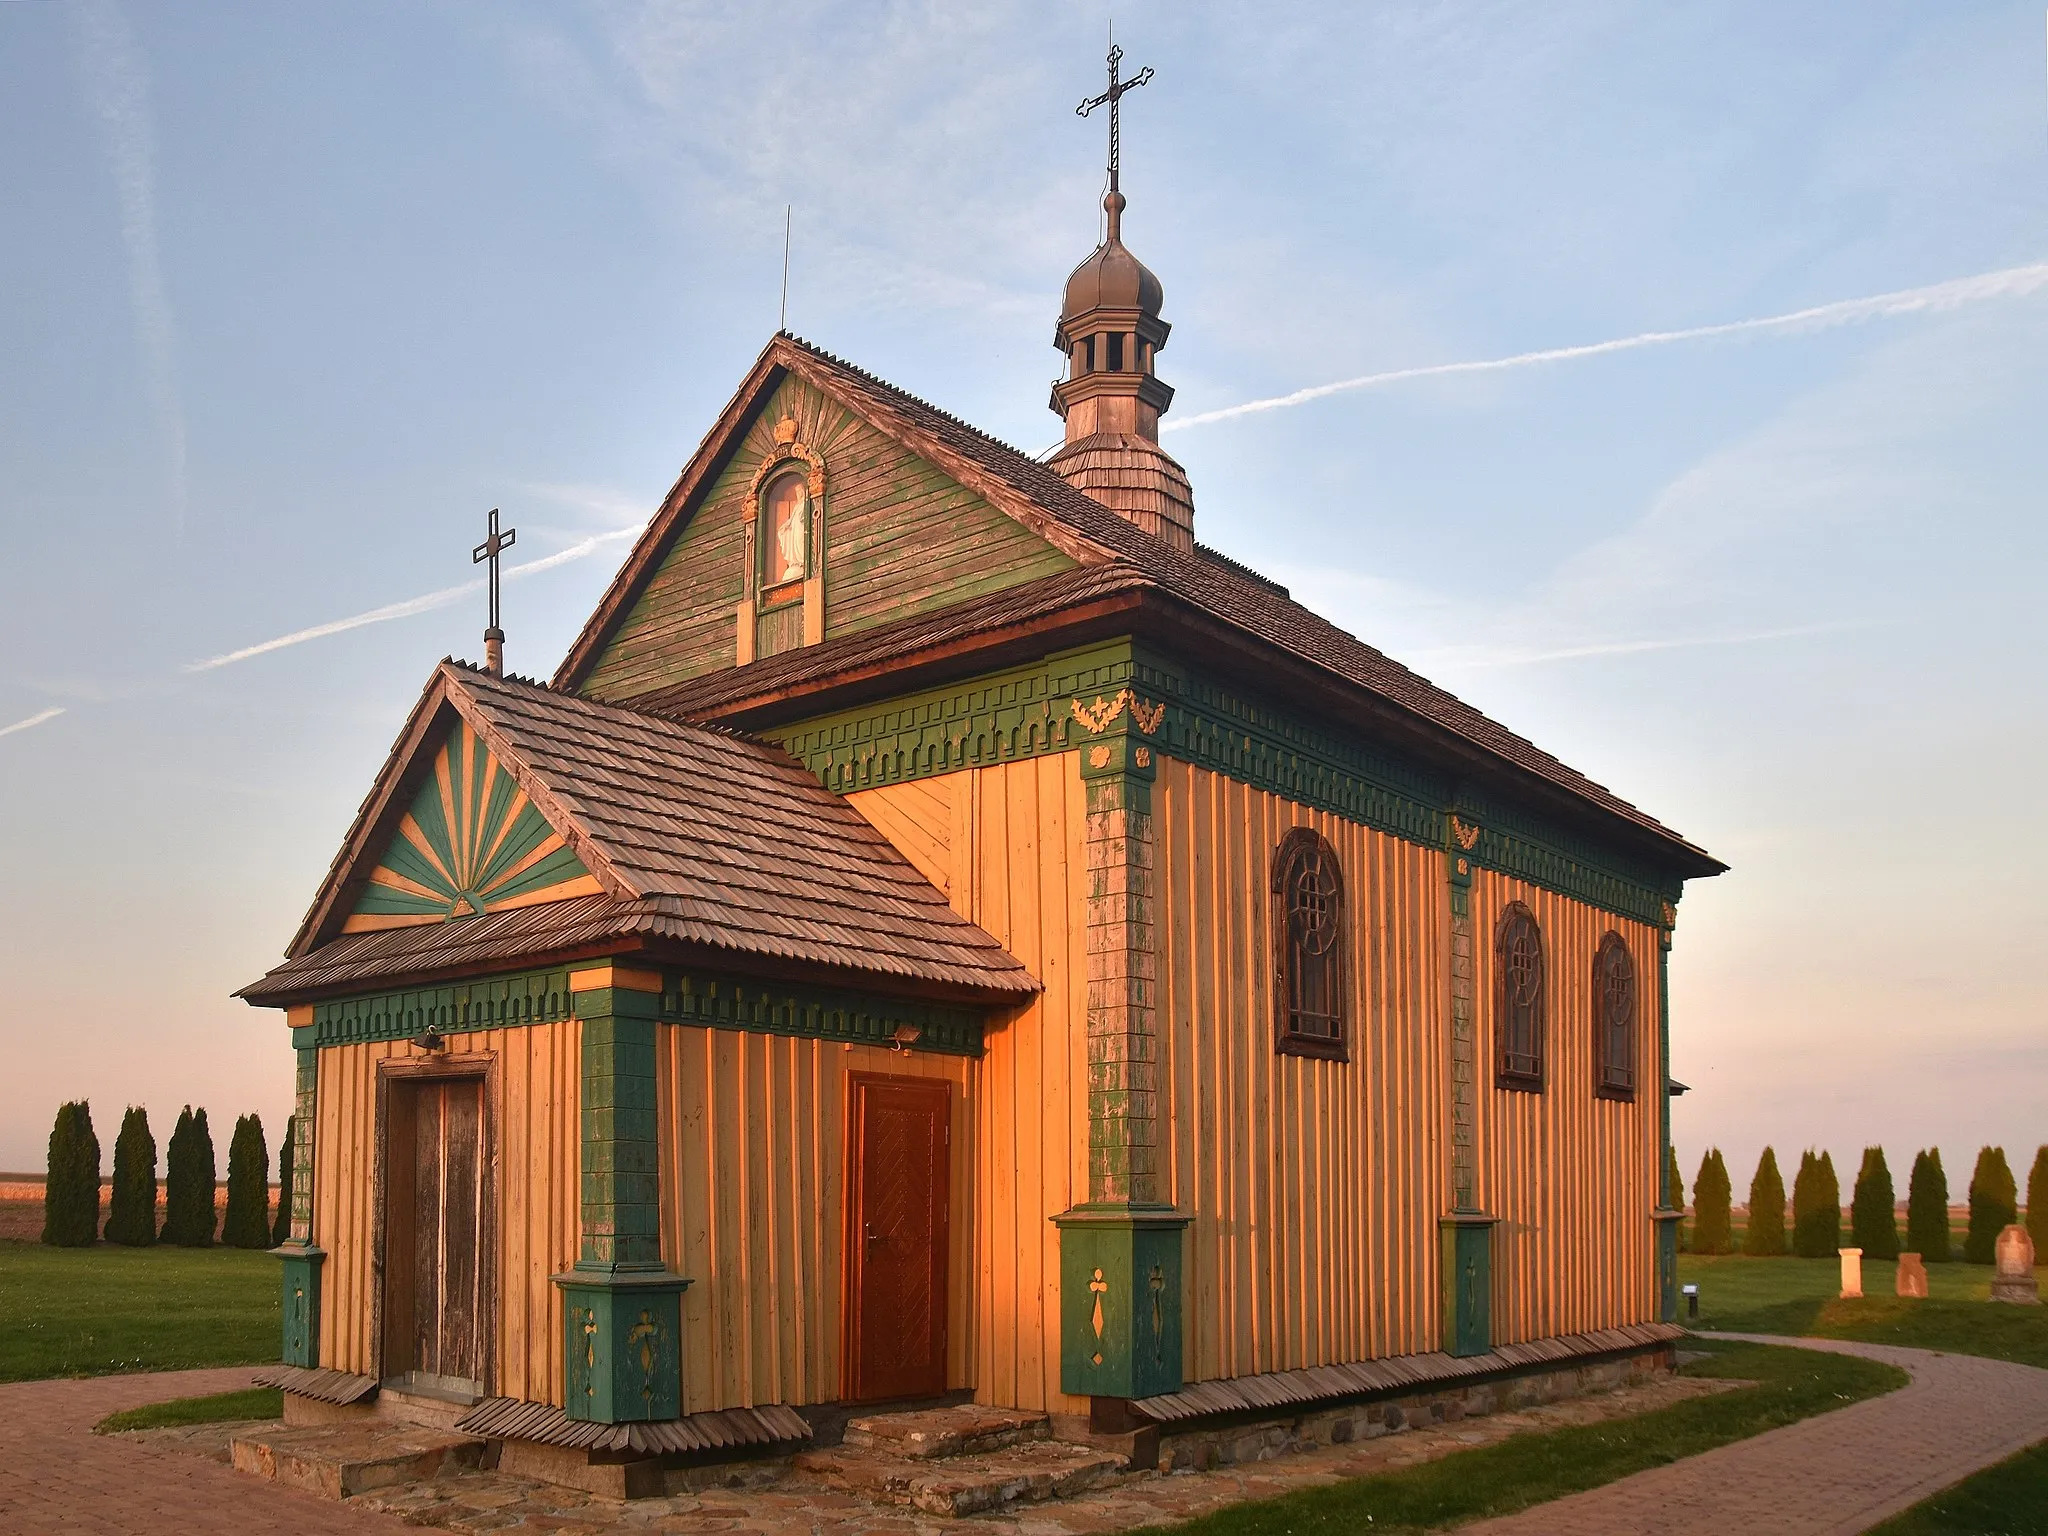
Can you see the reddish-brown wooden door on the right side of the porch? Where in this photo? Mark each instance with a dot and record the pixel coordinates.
(896, 1240)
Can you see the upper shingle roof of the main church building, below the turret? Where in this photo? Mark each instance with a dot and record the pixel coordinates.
(1115, 558)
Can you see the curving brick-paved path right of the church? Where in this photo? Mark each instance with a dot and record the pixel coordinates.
(1832, 1476)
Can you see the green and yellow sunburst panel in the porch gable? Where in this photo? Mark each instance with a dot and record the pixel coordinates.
(472, 843)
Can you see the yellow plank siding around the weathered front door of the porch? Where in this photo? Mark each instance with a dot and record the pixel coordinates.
(536, 1107)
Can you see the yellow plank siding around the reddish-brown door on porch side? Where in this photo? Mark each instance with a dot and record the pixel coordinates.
(753, 1205)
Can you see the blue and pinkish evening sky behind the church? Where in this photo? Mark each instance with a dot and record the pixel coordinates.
(294, 296)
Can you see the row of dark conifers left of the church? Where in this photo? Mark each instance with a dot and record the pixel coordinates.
(73, 1195)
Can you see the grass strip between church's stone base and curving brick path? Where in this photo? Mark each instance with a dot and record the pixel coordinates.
(1539, 1467)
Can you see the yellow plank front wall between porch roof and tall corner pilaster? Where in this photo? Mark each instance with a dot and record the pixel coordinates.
(992, 841)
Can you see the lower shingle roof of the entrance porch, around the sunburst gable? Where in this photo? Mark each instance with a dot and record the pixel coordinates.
(706, 841)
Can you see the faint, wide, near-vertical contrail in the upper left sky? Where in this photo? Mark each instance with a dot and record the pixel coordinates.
(120, 93)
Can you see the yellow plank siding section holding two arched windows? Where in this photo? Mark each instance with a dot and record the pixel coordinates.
(1572, 1177)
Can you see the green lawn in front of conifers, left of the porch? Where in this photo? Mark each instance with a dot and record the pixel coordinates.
(93, 1312)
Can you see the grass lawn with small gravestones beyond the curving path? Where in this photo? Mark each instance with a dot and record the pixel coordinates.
(1801, 1297)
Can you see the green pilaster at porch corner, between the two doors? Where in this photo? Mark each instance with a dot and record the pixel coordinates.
(622, 1308)
